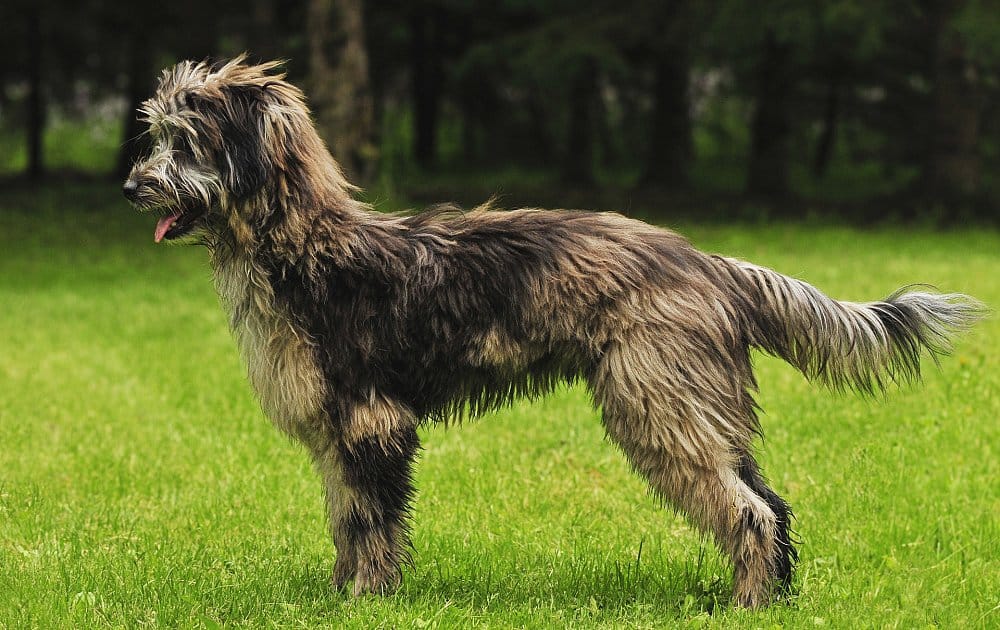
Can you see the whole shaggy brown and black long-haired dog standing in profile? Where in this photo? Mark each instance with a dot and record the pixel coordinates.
(359, 326)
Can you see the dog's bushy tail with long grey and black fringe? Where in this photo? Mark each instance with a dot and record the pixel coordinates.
(848, 344)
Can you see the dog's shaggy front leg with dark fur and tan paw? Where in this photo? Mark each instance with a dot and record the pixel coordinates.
(368, 473)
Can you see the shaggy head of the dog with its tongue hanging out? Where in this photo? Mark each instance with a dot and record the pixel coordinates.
(220, 134)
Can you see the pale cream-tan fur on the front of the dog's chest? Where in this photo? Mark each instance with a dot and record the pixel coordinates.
(280, 363)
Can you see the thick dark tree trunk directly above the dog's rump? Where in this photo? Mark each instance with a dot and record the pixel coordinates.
(671, 146)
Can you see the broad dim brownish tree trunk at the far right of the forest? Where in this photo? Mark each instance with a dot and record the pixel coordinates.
(952, 165)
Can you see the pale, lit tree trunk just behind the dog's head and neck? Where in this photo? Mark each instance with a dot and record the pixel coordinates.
(340, 88)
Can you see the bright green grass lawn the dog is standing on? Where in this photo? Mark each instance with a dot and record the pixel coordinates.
(141, 485)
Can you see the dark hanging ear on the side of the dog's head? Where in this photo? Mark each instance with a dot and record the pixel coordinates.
(243, 161)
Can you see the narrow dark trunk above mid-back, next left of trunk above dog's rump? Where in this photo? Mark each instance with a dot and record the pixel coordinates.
(579, 158)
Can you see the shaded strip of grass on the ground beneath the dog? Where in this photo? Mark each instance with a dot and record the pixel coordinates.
(679, 588)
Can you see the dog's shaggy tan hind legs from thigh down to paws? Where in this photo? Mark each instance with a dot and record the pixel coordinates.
(681, 437)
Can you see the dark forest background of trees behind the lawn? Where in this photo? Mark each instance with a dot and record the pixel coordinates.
(849, 106)
